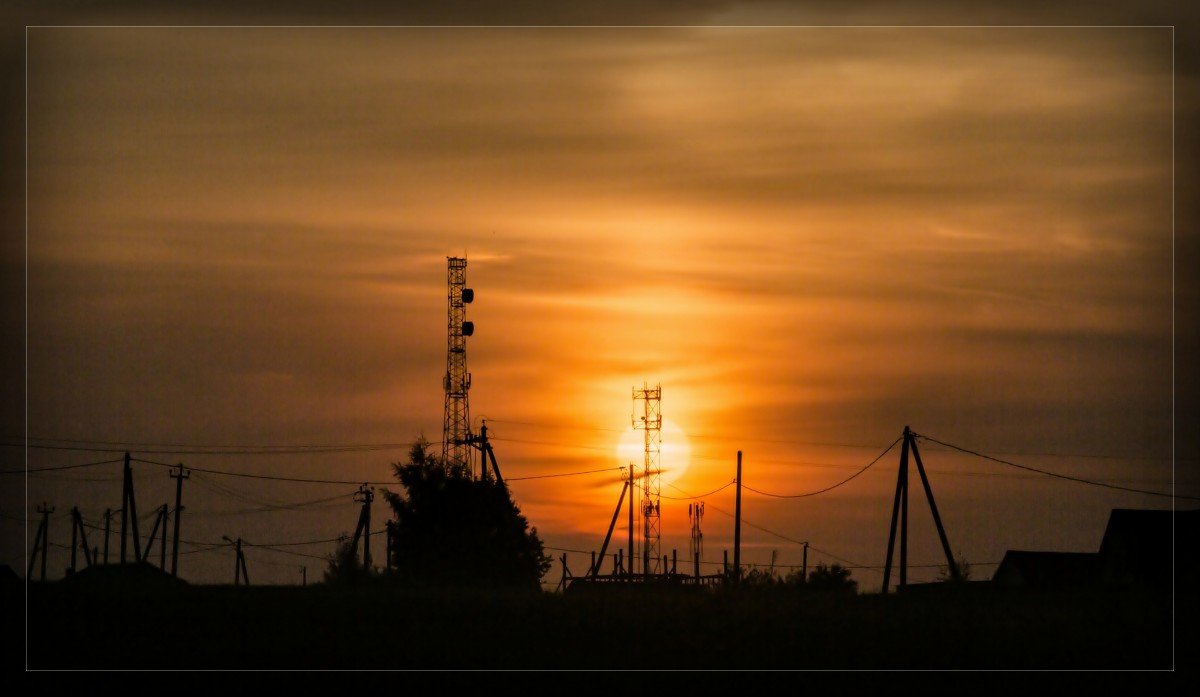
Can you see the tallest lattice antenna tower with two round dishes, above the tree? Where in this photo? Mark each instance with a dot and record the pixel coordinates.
(457, 453)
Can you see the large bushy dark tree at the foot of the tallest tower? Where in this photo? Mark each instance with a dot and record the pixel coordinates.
(453, 530)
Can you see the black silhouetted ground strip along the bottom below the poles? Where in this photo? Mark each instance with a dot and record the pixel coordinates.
(375, 627)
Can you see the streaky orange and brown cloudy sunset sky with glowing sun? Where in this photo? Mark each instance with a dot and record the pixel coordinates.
(809, 237)
